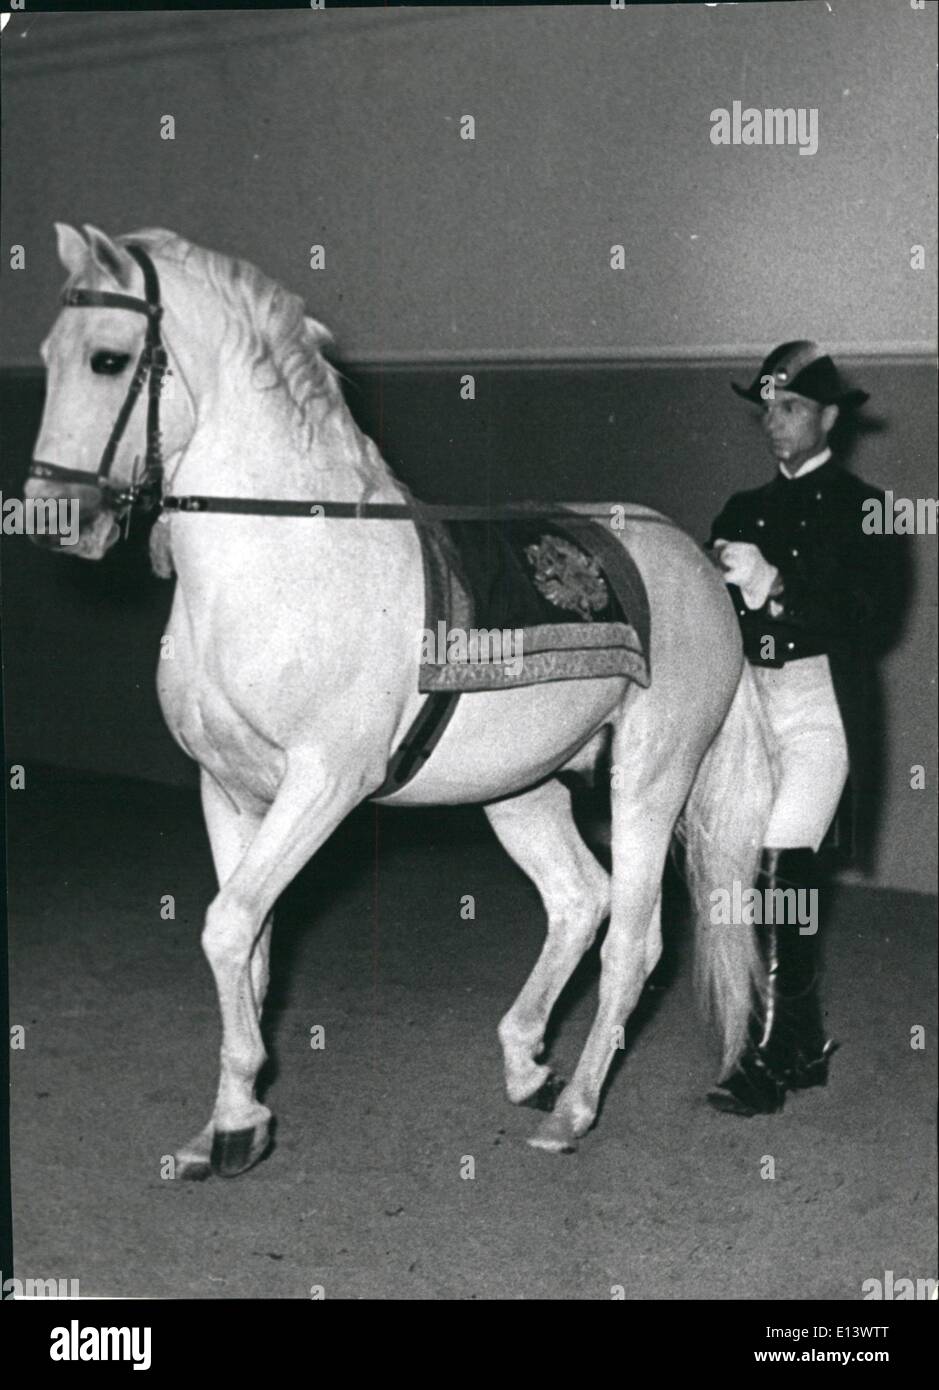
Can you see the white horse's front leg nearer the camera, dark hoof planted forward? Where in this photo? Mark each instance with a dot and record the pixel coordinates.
(316, 796)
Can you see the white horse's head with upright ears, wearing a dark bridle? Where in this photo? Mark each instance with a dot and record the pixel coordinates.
(106, 422)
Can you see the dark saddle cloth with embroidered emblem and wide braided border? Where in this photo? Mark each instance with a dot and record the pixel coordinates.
(519, 603)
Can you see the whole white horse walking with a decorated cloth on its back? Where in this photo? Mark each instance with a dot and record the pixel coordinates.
(295, 675)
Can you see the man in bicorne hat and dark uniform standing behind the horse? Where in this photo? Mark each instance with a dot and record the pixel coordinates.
(817, 598)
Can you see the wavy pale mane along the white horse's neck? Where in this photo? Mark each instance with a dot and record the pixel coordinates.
(281, 341)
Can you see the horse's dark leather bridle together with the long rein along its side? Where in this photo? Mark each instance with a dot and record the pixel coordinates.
(145, 493)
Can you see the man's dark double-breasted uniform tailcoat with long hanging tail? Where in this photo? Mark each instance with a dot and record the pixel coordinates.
(842, 597)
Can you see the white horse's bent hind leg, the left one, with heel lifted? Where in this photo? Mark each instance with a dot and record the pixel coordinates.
(540, 833)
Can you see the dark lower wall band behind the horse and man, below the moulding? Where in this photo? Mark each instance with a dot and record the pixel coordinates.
(81, 640)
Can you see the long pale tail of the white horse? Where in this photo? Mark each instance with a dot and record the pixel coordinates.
(723, 829)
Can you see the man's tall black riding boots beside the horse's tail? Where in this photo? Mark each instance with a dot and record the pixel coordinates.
(788, 1049)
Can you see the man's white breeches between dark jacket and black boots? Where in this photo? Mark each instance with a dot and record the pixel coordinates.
(812, 750)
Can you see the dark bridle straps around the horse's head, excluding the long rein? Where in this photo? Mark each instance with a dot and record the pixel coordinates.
(152, 366)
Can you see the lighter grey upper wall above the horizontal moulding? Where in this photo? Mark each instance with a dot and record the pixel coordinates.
(592, 129)
